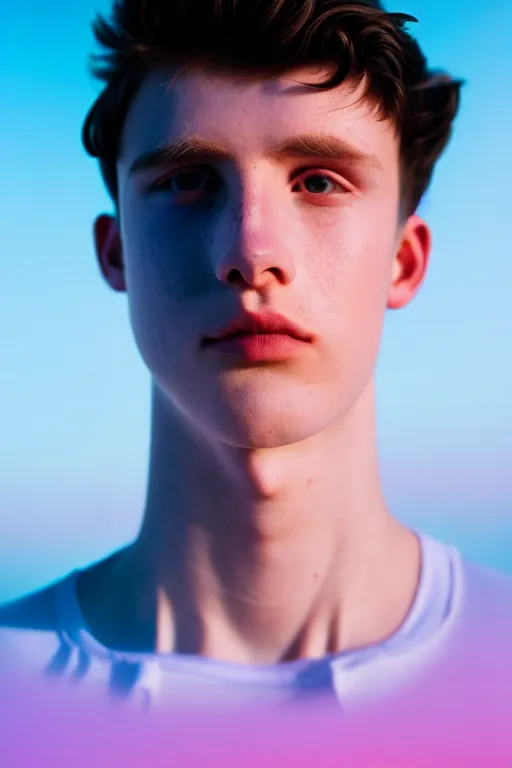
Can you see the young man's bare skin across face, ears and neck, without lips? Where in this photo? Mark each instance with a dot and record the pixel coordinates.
(265, 535)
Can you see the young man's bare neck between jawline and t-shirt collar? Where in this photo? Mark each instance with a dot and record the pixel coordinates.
(258, 556)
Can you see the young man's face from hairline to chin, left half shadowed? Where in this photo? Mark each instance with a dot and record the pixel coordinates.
(257, 223)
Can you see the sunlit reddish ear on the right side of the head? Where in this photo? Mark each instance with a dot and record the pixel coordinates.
(410, 263)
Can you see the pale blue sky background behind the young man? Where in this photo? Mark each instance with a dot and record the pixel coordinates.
(74, 396)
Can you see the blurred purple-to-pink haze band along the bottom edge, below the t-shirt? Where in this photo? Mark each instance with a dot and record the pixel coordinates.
(43, 729)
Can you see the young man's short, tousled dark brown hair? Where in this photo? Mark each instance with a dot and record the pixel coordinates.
(358, 41)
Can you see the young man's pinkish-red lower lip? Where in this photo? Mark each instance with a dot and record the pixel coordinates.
(260, 347)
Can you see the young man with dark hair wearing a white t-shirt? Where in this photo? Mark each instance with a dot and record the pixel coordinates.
(266, 159)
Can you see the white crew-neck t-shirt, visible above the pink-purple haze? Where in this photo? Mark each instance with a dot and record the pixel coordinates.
(460, 624)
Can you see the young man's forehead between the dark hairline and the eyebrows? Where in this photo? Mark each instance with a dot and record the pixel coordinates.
(248, 115)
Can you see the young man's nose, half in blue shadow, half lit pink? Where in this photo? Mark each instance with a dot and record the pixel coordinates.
(252, 244)
